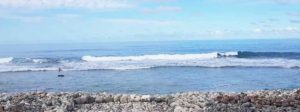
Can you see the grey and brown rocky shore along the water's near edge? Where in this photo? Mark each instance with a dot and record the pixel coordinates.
(269, 101)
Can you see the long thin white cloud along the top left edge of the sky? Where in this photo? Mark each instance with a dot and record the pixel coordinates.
(90, 4)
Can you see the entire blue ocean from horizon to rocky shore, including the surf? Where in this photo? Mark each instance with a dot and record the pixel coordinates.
(158, 67)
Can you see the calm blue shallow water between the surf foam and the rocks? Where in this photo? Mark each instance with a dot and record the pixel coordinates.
(153, 81)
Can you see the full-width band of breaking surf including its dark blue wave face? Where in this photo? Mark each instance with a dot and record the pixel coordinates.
(208, 60)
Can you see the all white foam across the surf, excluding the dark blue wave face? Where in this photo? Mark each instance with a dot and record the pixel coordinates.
(210, 60)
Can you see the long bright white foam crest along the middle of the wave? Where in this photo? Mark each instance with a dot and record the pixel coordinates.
(152, 57)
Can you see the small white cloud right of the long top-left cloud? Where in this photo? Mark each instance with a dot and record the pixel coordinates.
(162, 9)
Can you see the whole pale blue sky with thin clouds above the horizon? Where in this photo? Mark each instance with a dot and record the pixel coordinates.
(81, 21)
